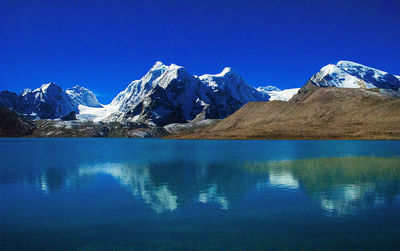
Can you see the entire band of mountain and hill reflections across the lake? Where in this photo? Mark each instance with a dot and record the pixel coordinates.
(342, 186)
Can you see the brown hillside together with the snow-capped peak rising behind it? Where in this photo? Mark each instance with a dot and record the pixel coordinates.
(342, 101)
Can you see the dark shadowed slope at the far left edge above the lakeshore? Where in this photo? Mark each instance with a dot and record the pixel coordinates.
(13, 124)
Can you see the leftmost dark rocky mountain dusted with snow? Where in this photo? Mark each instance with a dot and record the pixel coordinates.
(47, 102)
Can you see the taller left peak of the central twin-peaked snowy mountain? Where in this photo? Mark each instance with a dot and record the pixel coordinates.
(164, 95)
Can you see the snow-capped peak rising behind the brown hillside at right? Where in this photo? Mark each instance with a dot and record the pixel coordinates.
(348, 74)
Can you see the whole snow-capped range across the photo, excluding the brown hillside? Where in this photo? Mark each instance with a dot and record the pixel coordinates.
(169, 95)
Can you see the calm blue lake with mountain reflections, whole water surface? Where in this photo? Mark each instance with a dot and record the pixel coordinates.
(119, 194)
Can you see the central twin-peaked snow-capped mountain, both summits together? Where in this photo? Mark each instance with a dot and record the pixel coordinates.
(169, 94)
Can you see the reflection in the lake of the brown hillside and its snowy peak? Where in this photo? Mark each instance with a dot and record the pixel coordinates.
(341, 185)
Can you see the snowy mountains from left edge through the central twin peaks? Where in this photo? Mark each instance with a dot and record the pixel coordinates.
(166, 94)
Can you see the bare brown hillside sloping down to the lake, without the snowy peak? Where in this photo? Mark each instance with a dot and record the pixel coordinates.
(315, 113)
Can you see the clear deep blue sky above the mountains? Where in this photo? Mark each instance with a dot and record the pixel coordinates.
(104, 45)
